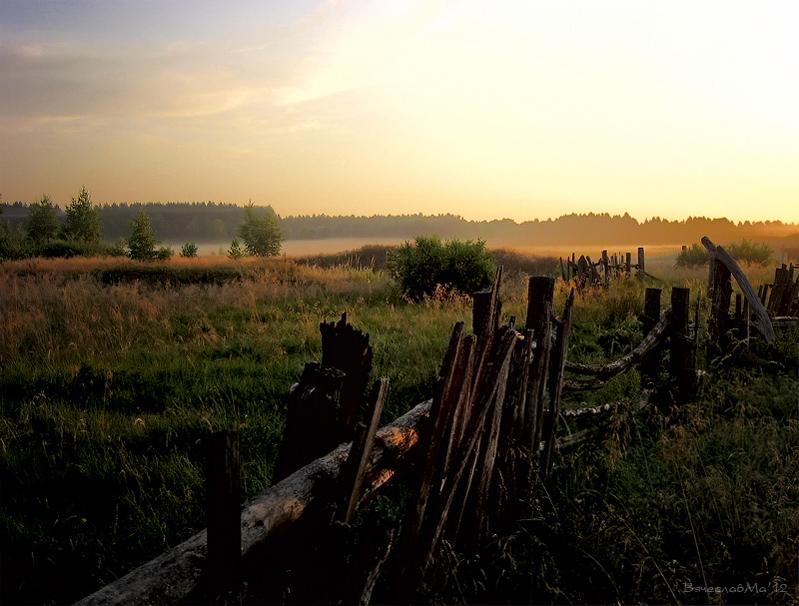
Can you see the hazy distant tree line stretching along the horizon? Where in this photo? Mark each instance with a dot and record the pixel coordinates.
(212, 222)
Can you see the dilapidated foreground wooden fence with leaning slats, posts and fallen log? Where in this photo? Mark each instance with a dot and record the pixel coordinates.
(470, 456)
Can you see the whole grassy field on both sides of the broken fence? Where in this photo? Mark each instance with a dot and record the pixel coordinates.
(113, 372)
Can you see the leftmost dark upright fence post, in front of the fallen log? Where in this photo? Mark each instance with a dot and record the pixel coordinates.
(223, 479)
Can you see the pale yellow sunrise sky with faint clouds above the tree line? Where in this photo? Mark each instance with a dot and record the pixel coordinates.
(485, 109)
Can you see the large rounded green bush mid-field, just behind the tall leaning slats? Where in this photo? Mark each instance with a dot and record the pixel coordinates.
(419, 267)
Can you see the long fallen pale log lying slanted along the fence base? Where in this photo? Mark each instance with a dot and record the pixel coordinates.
(173, 575)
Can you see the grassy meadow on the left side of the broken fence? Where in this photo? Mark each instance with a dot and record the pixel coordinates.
(108, 390)
